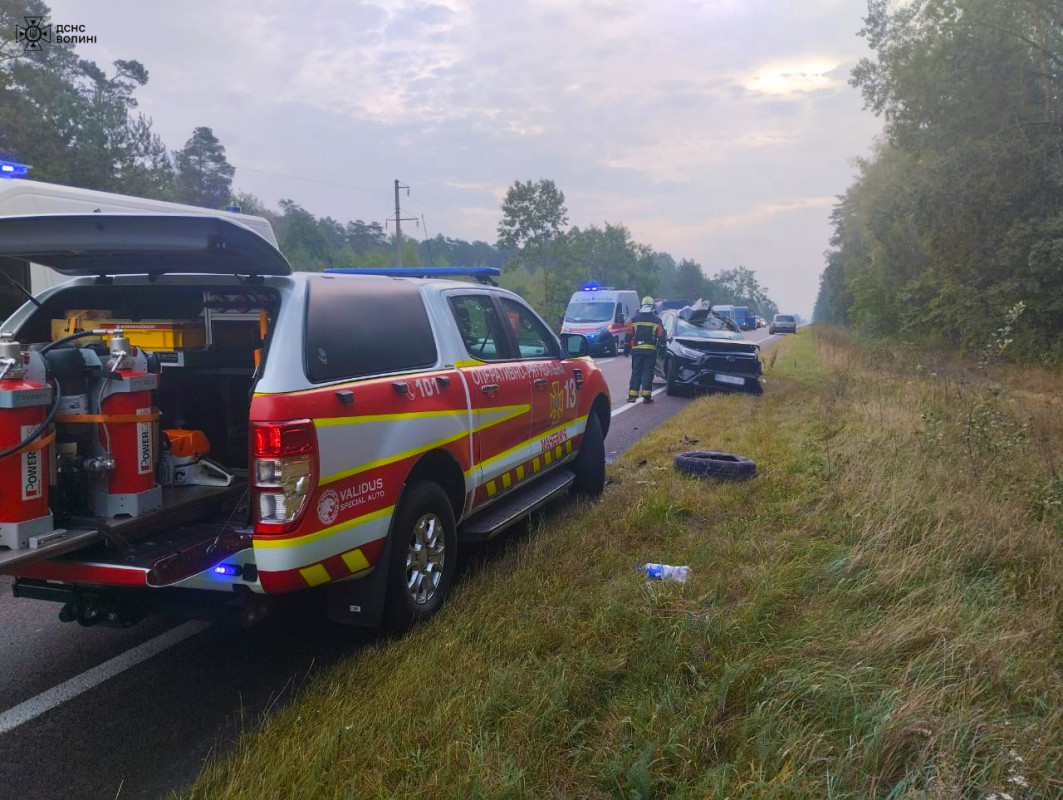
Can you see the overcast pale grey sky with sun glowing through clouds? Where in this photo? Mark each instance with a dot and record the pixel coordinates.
(716, 130)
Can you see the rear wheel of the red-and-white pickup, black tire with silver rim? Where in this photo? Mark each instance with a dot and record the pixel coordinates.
(407, 604)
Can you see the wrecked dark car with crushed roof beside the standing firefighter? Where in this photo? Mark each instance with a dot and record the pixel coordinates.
(707, 352)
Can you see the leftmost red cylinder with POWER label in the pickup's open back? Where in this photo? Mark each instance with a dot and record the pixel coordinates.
(24, 439)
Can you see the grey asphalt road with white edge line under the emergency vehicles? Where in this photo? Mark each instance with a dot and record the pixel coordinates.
(100, 713)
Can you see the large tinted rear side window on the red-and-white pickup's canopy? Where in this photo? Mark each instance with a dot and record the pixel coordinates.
(359, 328)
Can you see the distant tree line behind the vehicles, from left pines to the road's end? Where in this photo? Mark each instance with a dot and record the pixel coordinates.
(77, 124)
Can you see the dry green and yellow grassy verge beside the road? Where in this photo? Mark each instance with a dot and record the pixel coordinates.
(879, 615)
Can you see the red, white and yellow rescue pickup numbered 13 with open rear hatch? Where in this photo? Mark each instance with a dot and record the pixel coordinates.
(216, 431)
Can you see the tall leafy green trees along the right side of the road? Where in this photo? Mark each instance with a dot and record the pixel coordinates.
(954, 228)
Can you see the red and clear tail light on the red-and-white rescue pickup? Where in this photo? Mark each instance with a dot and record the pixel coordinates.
(283, 473)
